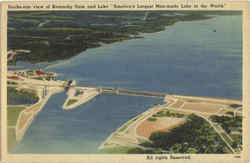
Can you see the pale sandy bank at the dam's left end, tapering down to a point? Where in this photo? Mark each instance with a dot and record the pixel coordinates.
(43, 90)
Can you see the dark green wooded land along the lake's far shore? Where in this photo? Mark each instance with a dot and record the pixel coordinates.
(56, 35)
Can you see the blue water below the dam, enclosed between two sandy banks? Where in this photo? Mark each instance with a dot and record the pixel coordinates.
(83, 129)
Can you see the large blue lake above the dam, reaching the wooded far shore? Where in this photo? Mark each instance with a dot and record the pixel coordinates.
(188, 58)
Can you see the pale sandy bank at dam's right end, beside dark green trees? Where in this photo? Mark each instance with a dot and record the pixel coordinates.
(127, 132)
